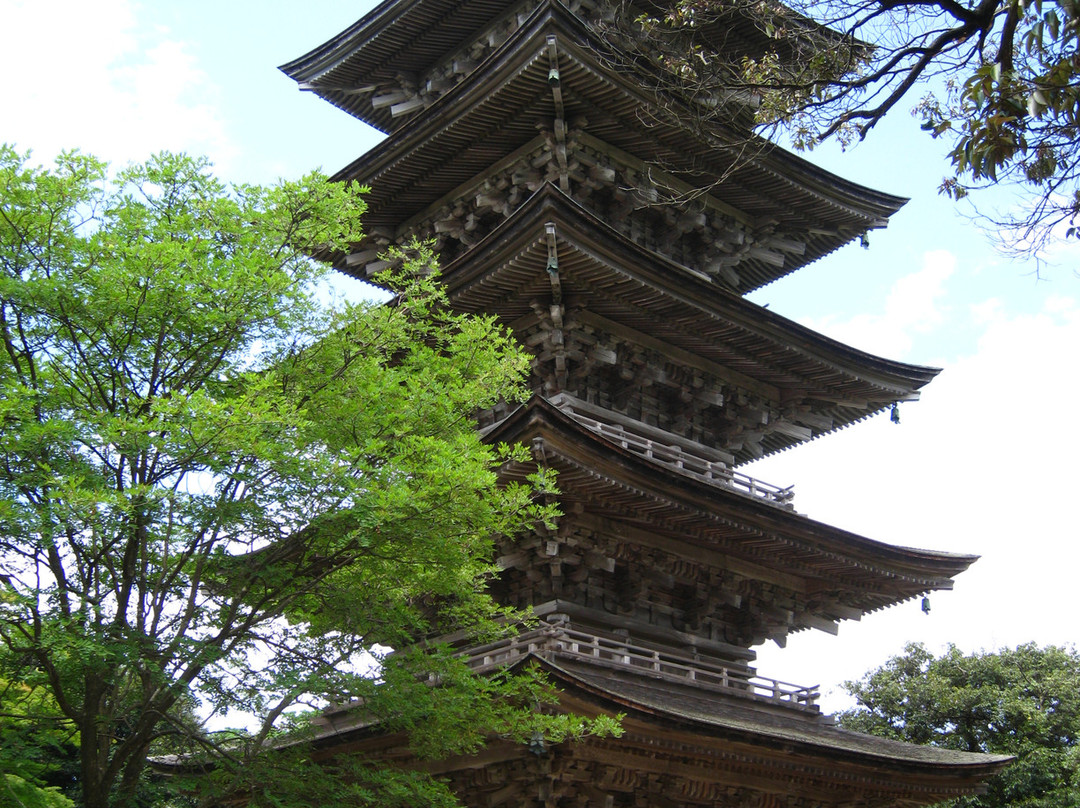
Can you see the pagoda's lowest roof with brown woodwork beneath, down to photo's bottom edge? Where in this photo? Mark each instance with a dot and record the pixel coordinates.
(679, 749)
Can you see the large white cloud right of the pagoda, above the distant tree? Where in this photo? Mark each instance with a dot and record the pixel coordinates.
(985, 464)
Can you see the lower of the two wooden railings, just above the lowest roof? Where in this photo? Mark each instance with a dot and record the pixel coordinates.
(560, 642)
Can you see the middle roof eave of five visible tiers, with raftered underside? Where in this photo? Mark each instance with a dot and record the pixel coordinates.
(609, 285)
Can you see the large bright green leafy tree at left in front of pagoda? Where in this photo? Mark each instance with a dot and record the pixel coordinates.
(218, 493)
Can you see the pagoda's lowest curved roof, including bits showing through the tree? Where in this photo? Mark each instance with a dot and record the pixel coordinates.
(768, 752)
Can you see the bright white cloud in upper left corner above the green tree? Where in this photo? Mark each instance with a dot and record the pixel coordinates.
(88, 76)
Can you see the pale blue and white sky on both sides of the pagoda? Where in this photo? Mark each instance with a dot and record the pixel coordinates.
(988, 463)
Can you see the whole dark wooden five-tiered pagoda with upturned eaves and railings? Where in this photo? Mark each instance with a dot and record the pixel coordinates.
(617, 244)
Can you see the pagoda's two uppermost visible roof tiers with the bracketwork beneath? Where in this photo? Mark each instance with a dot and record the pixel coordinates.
(534, 100)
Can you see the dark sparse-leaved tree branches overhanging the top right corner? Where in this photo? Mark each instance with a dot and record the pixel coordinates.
(1000, 79)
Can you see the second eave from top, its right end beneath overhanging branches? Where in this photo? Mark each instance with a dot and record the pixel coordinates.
(494, 112)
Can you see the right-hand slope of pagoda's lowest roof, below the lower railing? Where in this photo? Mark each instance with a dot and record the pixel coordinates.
(777, 753)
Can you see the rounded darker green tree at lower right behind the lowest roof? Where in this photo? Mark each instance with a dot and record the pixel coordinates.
(1022, 702)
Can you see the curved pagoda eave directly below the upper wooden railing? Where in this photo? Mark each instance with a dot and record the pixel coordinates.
(872, 575)
